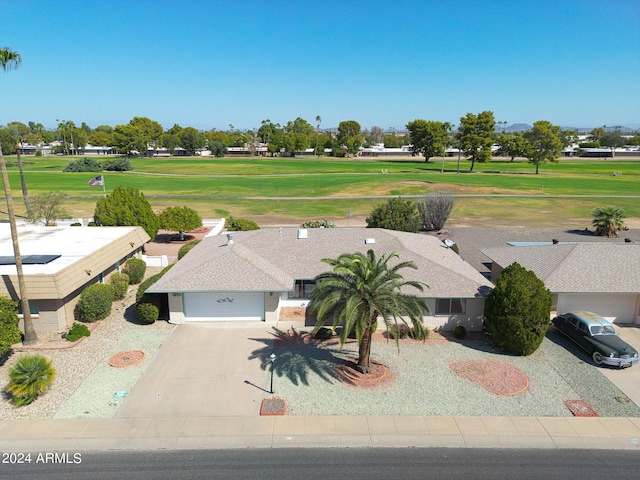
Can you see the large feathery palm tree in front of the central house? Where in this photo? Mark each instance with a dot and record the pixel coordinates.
(361, 289)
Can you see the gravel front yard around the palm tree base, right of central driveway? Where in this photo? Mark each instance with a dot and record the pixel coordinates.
(424, 384)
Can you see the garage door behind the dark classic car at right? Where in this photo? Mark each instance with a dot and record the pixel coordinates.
(617, 307)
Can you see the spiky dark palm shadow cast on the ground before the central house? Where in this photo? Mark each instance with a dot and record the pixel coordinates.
(297, 355)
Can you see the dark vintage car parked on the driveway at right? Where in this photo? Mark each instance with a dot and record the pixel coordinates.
(598, 337)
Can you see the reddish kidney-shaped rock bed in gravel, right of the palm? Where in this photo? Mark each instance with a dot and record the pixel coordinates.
(494, 376)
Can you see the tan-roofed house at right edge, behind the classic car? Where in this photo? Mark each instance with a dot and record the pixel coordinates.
(600, 277)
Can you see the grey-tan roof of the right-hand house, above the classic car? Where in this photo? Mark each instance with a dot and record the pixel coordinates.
(586, 267)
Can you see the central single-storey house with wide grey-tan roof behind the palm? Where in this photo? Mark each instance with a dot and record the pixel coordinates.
(260, 274)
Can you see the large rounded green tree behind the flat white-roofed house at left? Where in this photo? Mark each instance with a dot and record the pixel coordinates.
(127, 207)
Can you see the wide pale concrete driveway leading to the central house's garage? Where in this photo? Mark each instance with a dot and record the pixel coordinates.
(207, 369)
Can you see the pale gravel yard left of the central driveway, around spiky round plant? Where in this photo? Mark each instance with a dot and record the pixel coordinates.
(85, 383)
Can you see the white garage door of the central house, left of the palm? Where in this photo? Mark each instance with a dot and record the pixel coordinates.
(223, 306)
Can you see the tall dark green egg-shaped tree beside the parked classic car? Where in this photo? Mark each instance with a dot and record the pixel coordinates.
(517, 311)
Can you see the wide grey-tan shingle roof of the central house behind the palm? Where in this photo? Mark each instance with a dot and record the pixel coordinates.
(271, 259)
